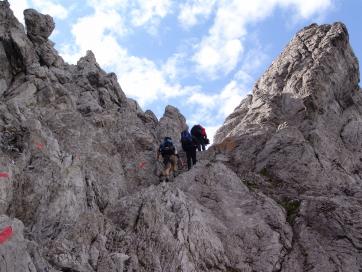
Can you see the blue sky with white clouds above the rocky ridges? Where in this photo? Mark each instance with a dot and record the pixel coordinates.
(202, 56)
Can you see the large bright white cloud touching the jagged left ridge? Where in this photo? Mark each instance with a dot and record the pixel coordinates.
(140, 78)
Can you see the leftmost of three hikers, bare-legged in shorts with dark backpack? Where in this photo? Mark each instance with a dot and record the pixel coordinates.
(169, 154)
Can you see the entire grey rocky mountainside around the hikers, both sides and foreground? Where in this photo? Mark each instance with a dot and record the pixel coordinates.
(280, 191)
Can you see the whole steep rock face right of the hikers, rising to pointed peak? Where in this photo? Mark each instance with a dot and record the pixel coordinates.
(299, 136)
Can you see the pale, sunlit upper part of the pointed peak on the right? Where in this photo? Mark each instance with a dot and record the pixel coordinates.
(316, 67)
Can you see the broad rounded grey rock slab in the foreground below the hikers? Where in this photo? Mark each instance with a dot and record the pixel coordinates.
(195, 224)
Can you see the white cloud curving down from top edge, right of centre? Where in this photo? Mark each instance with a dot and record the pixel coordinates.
(220, 51)
